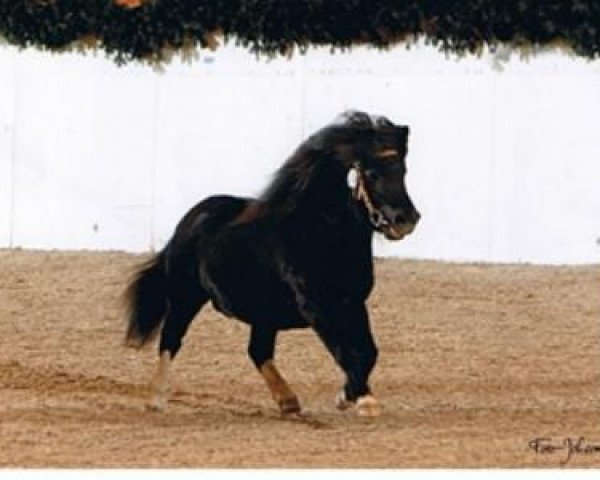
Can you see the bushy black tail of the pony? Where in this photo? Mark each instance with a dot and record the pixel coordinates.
(146, 301)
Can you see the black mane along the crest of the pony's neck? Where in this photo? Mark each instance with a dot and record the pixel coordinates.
(296, 175)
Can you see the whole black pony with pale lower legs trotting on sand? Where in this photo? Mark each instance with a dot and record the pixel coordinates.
(298, 256)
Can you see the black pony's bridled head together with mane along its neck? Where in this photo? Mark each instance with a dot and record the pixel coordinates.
(371, 151)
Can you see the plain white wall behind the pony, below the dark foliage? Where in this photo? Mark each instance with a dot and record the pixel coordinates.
(503, 164)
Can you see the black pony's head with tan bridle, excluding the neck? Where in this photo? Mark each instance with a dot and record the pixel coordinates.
(373, 150)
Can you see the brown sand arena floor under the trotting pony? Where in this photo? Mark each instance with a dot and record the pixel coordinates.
(475, 362)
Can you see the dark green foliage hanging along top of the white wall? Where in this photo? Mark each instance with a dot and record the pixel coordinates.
(152, 29)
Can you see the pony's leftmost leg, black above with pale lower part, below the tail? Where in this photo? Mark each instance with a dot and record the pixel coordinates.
(184, 302)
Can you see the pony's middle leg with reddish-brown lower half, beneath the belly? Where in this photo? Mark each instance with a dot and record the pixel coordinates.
(261, 350)
